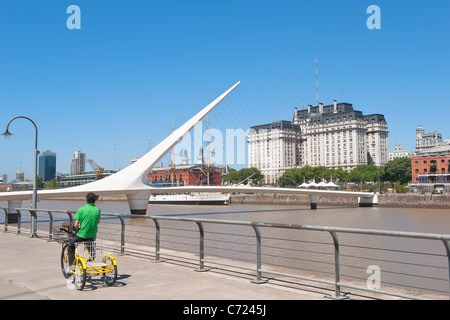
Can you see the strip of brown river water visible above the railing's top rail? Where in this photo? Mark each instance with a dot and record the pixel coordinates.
(399, 219)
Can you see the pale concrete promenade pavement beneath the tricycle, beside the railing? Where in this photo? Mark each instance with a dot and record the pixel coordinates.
(30, 270)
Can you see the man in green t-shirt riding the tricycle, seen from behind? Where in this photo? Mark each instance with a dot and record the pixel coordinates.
(86, 220)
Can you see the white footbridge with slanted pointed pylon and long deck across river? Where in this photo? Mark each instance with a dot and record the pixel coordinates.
(132, 181)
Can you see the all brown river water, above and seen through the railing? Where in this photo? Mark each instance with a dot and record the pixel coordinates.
(309, 251)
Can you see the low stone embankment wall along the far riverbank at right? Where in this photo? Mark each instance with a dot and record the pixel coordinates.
(407, 200)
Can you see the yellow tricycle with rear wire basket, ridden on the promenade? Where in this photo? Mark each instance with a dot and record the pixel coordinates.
(91, 258)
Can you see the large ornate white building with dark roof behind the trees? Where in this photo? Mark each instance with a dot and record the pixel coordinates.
(334, 136)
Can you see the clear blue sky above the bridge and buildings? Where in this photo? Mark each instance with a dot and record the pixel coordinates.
(136, 65)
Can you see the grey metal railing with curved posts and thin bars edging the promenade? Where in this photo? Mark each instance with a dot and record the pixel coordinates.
(256, 264)
